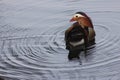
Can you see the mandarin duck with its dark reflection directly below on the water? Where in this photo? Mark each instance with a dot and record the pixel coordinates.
(80, 35)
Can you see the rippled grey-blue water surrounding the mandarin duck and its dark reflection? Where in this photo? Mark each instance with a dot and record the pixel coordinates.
(32, 43)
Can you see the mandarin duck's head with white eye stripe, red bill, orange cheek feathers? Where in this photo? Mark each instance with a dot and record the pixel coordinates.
(82, 19)
